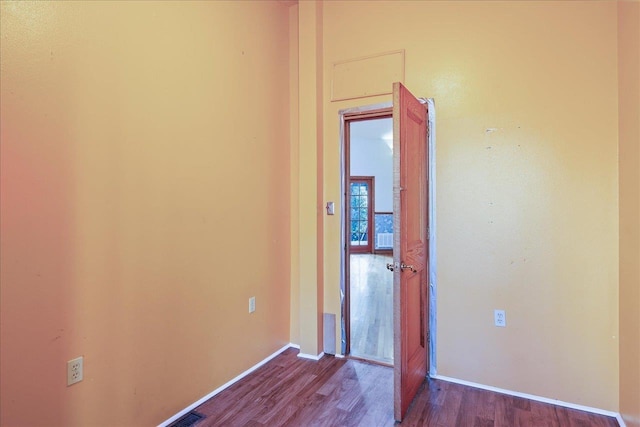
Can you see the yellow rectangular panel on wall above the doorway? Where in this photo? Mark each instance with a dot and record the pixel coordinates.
(367, 76)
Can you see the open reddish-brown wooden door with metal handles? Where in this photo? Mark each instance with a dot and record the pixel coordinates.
(410, 299)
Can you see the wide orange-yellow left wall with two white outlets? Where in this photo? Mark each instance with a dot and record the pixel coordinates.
(144, 199)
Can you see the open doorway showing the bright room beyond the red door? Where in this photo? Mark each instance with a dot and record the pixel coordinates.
(369, 225)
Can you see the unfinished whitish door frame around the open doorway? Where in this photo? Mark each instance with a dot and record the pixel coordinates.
(378, 111)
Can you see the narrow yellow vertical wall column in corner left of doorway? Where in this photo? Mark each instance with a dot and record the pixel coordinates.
(310, 164)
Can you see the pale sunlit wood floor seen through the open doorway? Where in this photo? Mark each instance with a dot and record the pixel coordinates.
(371, 307)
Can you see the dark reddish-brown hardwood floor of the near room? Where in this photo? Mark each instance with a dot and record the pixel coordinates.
(289, 391)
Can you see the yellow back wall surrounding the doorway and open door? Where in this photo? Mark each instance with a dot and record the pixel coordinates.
(527, 188)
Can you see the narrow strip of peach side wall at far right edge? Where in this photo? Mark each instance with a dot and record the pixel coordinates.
(629, 146)
